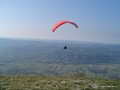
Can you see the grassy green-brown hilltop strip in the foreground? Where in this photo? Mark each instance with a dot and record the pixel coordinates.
(57, 83)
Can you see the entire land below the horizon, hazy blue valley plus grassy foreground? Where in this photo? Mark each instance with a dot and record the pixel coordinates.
(45, 65)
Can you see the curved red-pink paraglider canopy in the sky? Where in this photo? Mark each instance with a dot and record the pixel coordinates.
(59, 23)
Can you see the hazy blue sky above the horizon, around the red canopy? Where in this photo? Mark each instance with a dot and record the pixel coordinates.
(98, 20)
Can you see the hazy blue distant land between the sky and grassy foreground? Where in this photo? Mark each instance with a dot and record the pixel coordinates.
(49, 57)
